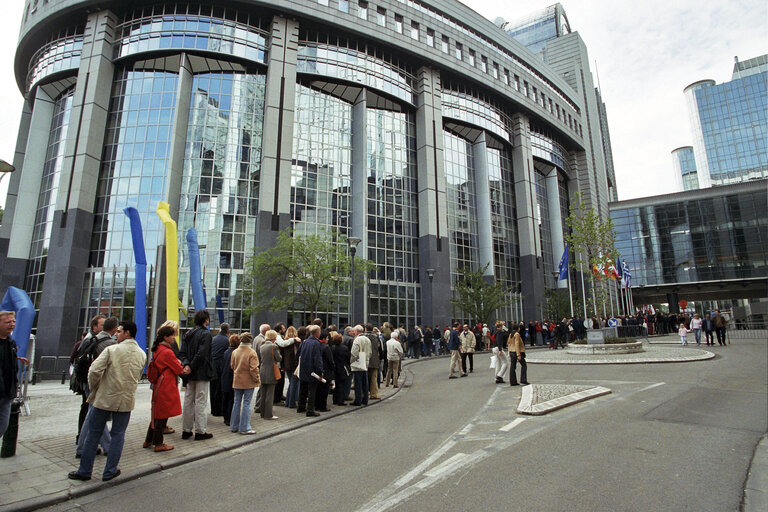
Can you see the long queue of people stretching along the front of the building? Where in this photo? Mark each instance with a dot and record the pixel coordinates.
(237, 374)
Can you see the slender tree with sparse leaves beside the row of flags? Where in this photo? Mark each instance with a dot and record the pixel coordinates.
(593, 239)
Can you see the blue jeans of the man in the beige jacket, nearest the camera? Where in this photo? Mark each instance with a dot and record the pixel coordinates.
(98, 420)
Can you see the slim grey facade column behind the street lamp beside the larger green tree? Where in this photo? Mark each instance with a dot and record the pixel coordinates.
(359, 201)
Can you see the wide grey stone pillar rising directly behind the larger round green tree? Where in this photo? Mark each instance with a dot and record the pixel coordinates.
(277, 143)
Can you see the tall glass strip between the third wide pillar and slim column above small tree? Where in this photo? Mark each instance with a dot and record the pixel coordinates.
(461, 207)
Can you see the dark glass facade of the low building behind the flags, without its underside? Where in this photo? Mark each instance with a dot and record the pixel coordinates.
(713, 238)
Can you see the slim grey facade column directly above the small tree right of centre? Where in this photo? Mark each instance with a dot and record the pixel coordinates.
(483, 195)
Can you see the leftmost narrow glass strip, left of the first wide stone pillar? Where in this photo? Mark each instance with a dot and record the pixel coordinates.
(46, 203)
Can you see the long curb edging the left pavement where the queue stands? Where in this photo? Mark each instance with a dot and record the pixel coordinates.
(130, 475)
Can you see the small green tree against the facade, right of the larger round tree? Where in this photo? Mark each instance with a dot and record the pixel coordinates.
(478, 298)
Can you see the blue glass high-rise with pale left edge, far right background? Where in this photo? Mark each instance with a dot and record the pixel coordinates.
(729, 123)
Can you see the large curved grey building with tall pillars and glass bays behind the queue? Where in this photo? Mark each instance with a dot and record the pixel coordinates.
(417, 126)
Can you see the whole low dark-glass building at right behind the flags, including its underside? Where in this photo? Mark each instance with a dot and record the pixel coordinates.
(706, 244)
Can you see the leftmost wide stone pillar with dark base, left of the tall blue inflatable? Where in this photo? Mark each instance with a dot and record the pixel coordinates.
(57, 326)
